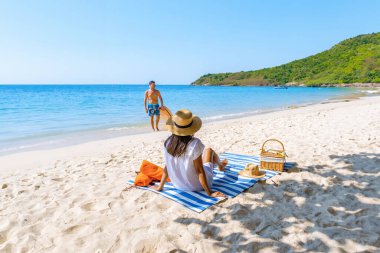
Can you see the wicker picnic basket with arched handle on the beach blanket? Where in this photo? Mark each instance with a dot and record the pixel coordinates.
(272, 159)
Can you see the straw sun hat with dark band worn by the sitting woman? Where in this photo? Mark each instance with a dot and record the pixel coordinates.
(183, 123)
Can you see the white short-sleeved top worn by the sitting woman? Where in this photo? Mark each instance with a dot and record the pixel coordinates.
(181, 169)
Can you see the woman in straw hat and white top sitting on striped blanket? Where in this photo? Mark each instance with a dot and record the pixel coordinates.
(188, 163)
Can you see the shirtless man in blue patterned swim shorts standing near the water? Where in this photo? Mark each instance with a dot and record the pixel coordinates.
(153, 107)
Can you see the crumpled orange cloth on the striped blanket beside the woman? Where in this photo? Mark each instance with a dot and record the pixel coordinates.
(148, 173)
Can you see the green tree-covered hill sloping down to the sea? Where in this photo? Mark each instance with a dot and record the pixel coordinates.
(355, 60)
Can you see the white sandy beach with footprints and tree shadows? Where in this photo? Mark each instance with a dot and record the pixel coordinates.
(72, 199)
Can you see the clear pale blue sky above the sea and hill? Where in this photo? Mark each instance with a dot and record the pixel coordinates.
(172, 42)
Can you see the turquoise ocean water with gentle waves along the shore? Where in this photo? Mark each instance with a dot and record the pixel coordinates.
(37, 116)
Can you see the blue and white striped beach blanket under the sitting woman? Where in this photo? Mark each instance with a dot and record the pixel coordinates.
(228, 182)
